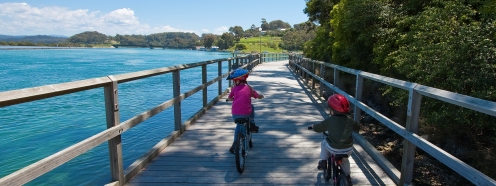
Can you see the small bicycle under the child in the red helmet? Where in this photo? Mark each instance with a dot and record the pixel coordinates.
(332, 167)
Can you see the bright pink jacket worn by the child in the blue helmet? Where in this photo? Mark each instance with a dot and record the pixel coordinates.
(242, 95)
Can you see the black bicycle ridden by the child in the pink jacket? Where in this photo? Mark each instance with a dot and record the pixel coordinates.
(242, 142)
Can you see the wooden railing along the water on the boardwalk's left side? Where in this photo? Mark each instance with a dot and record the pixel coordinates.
(114, 128)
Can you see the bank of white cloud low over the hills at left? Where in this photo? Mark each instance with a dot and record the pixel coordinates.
(23, 19)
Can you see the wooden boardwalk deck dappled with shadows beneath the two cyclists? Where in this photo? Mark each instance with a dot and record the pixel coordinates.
(284, 152)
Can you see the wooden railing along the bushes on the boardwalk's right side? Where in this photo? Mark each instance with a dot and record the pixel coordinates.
(302, 67)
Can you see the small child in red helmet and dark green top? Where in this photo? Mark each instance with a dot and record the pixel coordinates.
(340, 128)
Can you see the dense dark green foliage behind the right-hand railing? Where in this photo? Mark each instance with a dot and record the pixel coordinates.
(448, 45)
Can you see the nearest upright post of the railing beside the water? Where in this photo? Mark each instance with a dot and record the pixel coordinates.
(113, 119)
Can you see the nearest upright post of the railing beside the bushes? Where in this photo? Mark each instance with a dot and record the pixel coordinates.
(412, 118)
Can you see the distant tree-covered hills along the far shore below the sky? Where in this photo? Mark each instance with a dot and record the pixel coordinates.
(292, 38)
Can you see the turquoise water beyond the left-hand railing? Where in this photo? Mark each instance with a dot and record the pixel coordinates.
(32, 131)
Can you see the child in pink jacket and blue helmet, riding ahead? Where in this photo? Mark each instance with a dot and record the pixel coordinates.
(240, 96)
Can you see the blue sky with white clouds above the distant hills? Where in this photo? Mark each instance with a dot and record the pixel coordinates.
(111, 17)
